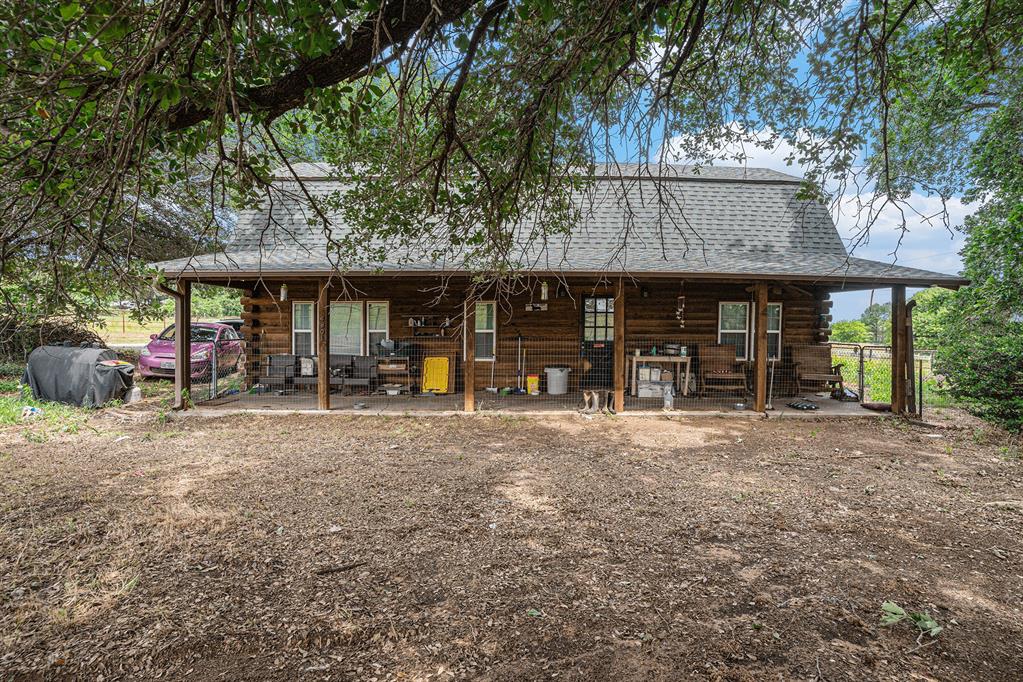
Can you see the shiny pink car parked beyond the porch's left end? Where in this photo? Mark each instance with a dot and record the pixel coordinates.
(157, 359)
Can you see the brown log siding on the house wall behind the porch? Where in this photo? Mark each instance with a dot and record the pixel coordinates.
(551, 337)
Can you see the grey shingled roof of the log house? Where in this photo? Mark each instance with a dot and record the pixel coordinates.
(638, 219)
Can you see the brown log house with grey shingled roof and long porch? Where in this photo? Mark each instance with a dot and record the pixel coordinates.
(711, 281)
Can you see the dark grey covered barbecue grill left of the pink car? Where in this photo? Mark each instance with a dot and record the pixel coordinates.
(77, 376)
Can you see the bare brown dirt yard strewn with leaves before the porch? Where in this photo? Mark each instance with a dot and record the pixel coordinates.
(344, 548)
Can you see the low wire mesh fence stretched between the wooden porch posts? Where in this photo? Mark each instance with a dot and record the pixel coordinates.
(535, 374)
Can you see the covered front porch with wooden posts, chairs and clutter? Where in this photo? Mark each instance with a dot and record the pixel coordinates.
(637, 346)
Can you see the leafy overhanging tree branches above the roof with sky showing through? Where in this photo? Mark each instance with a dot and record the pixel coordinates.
(468, 110)
